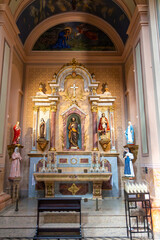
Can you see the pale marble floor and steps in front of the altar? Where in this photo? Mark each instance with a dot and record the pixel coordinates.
(107, 221)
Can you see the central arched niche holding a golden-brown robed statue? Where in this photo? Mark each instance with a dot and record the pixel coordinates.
(74, 141)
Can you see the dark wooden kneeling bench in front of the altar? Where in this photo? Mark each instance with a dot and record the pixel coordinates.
(58, 205)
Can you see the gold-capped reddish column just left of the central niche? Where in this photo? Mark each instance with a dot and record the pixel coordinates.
(53, 110)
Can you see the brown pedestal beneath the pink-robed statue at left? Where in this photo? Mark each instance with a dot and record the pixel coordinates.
(14, 182)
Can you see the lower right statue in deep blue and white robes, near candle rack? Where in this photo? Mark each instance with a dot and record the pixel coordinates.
(128, 168)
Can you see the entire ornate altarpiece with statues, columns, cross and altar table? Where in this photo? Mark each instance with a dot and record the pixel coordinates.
(66, 137)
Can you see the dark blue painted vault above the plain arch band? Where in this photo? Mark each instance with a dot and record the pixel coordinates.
(40, 10)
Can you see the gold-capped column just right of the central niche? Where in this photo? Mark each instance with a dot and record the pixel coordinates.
(94, 125)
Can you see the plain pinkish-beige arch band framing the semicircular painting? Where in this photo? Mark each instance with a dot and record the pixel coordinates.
(74, 17)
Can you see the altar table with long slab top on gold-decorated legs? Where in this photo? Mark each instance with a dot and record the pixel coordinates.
(50, 178)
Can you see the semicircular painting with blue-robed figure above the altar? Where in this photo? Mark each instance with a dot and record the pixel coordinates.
(74, 37)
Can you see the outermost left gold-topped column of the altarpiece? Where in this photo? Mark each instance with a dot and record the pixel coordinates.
(35, 126)
